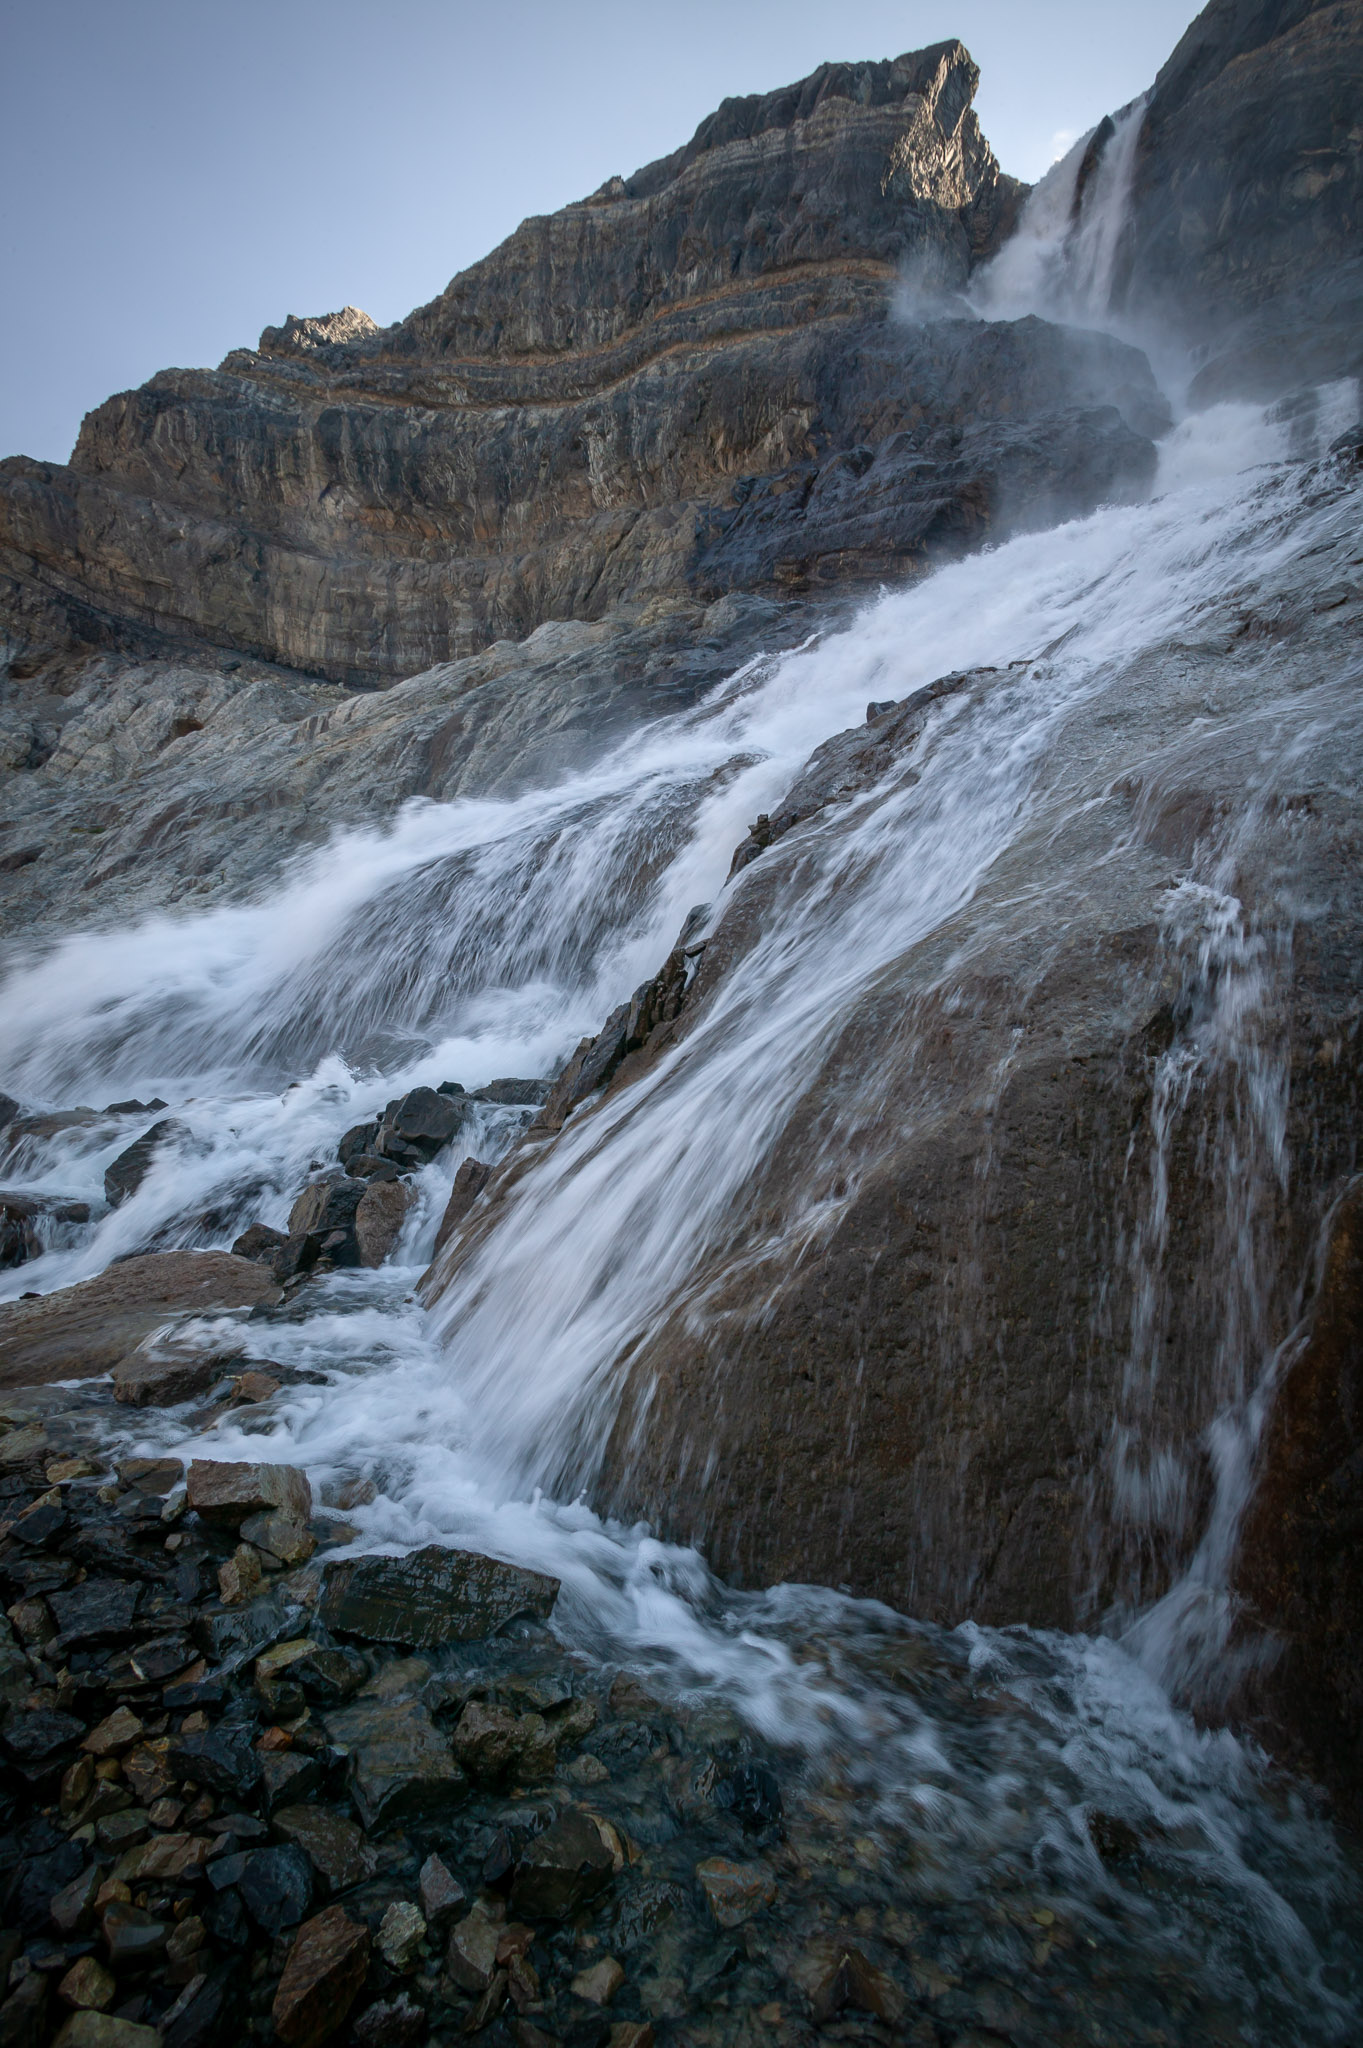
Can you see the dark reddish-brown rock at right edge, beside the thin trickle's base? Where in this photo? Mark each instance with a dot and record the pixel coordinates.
(1301, 1555)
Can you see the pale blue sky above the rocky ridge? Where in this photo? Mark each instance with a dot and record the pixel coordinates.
(177, 175)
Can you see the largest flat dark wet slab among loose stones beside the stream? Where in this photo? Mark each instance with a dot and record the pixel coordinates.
(433, 1596)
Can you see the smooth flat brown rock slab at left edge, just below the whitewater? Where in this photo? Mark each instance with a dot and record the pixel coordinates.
(87, 1330)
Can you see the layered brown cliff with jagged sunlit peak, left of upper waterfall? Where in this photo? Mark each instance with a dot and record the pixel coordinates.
(689, 384)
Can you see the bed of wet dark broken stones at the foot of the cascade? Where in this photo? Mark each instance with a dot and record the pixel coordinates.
(259, 1791)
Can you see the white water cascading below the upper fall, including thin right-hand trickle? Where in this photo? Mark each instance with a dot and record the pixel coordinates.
(981, 1777)
